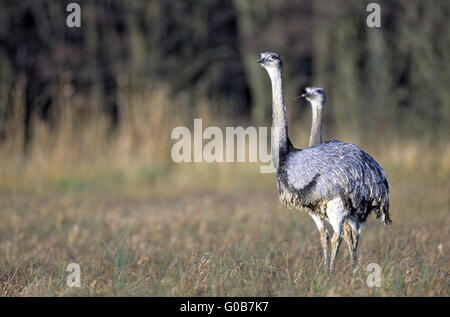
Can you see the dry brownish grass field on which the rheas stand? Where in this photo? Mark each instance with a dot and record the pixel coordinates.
(211, 230)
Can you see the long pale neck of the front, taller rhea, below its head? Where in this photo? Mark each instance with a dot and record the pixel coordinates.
(280, 140)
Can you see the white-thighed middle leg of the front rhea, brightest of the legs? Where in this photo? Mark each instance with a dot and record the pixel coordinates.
(336, 216)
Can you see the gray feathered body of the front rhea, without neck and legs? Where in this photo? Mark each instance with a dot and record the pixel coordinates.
(313, 176)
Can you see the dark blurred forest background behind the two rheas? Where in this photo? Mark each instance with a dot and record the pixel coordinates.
(379, 81)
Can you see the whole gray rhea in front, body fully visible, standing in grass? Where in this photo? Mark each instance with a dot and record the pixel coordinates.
(335, 181)
